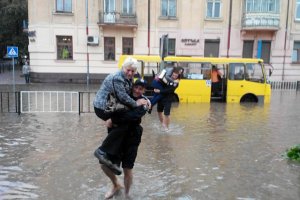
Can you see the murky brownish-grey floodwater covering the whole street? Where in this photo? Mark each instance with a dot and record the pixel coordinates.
(212, 151)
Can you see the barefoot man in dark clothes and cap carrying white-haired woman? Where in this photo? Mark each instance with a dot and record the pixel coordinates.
(127, 137)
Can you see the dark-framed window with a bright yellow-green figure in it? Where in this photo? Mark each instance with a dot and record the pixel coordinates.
(64, 47)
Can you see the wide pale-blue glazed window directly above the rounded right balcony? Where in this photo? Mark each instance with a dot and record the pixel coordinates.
(269, 6)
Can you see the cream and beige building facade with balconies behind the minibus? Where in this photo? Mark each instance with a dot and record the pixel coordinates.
(76, 41)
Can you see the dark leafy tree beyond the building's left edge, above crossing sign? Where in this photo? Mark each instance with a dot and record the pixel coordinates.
(12, 13)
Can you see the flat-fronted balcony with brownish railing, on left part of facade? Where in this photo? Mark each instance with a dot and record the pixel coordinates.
(117, 19)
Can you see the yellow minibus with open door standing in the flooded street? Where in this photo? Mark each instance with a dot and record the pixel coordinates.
(240, 79)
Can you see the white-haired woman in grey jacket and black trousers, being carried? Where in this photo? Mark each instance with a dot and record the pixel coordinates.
(119, 83)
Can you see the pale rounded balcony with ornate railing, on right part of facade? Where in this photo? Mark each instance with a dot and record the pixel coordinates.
(261, 21)
